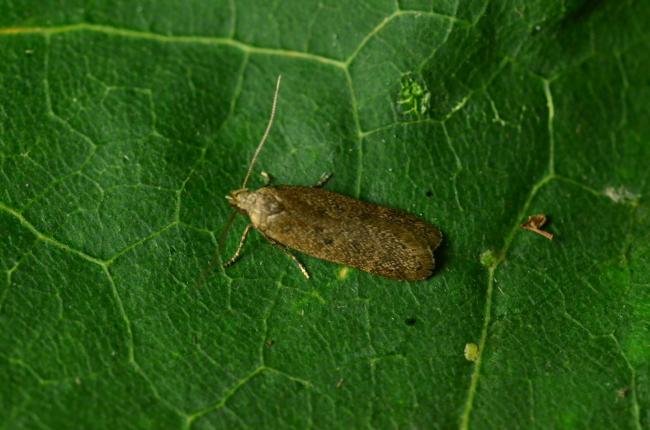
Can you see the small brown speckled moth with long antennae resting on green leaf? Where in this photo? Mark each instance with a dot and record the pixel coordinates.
(337, 228)
